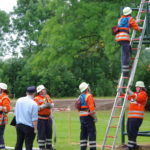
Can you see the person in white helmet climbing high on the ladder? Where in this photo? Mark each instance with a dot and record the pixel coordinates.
(122, 37)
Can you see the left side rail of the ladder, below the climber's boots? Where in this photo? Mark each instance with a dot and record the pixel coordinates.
(112, 112)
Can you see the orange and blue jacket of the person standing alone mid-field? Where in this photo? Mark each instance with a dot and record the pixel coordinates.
(87, 104)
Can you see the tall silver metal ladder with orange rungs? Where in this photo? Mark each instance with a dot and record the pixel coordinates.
(124, 84)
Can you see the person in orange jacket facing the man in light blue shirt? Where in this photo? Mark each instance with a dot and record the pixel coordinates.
(45, 104)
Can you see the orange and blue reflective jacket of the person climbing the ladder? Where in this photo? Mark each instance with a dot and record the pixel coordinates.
(124, 24)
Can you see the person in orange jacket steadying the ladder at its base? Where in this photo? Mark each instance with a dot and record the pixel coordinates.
(138, 101)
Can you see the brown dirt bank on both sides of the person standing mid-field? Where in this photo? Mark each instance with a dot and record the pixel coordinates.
(101, 104)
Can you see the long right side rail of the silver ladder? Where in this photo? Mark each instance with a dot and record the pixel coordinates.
(130, 82)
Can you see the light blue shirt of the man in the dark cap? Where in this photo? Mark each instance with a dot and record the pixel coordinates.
(26, 111)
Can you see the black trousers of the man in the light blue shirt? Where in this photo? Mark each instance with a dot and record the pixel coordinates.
(24, 133)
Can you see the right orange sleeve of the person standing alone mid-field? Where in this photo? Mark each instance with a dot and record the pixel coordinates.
(91, 104)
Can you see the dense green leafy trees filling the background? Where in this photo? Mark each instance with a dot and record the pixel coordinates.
(62, 43)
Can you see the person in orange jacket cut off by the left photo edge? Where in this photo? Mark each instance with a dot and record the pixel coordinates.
(4, 109)
